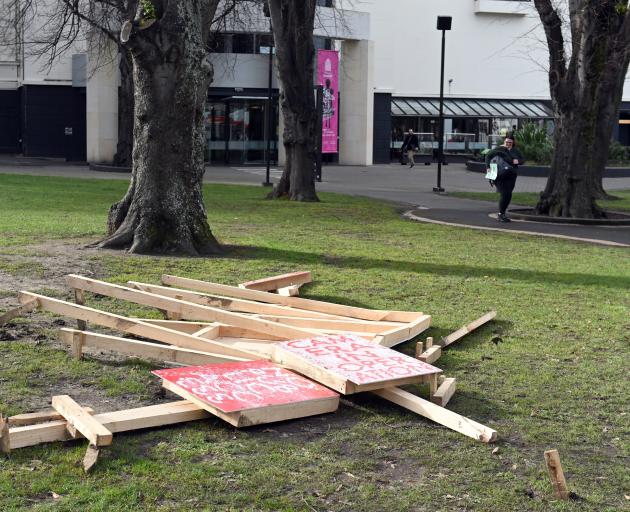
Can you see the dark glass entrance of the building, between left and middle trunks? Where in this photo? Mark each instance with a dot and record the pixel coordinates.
(235, 131)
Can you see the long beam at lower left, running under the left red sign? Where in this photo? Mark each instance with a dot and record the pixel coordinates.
(117, 421)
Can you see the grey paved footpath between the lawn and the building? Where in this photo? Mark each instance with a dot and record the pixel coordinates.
(396, 183)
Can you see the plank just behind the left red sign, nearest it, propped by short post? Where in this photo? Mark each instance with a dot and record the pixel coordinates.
(141, 349)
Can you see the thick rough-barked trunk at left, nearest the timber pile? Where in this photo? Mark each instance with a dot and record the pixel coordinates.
(163, 210)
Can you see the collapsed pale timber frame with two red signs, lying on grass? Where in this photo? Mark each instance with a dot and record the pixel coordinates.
(248, 356)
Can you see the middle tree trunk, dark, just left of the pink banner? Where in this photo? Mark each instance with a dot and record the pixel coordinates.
(293, 33)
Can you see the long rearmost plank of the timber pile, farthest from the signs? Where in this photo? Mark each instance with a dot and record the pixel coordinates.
(294, 302)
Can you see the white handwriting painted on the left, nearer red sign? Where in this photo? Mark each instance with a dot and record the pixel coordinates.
(247, 385)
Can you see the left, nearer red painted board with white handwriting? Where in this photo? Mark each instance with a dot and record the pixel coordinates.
(232, 387)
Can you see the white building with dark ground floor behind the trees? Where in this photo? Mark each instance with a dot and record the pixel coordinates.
(495, 79)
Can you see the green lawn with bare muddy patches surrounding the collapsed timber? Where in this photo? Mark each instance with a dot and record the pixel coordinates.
(550, 372)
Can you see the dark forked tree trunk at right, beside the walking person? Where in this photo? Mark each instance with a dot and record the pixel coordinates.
(586, 93)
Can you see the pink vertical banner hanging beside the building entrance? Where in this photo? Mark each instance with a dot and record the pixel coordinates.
(328, 78)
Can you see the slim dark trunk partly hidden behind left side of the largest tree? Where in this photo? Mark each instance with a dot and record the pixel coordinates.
(122, 158)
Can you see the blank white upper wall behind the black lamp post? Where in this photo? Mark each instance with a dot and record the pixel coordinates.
(487, 55)
